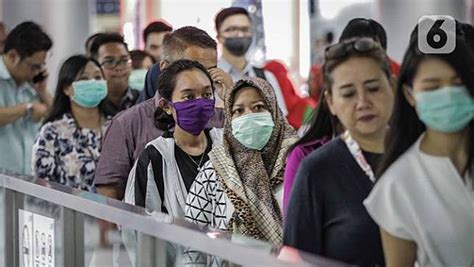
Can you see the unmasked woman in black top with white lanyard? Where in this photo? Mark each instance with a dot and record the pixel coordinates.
(325, 215)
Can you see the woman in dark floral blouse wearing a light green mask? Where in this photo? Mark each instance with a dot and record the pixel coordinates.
(68, 145)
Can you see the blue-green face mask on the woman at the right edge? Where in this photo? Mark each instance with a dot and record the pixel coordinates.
(448, 109)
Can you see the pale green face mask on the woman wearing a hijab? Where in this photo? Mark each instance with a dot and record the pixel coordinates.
(253, 130)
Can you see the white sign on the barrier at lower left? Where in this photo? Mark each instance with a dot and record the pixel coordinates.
(36, 234)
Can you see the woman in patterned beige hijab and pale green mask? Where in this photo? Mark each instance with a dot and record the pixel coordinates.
(240, 187)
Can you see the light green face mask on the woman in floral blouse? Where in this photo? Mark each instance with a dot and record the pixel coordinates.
(89, 93)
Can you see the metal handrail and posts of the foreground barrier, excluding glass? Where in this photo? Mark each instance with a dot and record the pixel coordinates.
(160, 228)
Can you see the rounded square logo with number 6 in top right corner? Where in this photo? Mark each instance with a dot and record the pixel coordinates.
(436, 34)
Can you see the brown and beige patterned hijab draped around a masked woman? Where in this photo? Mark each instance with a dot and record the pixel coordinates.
(249, 176)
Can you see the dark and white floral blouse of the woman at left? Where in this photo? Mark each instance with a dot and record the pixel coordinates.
(67, 154)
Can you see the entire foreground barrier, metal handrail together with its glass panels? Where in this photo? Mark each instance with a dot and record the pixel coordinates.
(46, 224)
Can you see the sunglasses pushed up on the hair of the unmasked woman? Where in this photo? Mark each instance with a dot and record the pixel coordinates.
(341, 50)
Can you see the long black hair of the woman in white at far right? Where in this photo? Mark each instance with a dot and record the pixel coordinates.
(405, 126)
